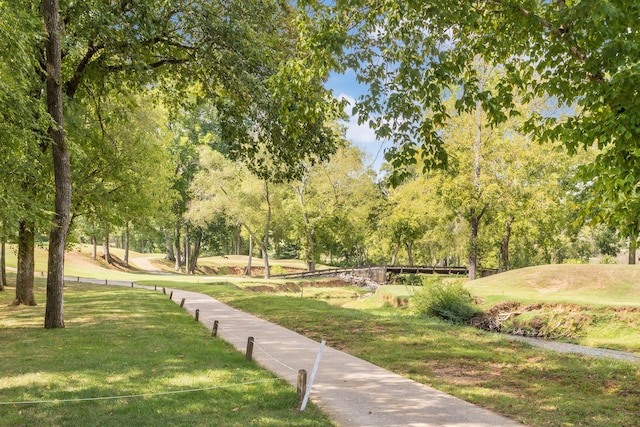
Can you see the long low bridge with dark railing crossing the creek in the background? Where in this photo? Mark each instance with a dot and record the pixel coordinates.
(384, 274)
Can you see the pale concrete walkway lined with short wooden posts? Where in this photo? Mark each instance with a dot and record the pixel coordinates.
(353, 392)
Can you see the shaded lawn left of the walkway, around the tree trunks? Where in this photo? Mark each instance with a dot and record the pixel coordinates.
(129, 342)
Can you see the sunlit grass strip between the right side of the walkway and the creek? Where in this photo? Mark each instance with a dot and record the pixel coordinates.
(532, 386)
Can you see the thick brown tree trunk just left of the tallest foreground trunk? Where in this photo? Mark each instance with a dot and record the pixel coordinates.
(24, 275)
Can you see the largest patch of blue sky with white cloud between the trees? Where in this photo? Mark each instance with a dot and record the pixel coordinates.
(346, 86)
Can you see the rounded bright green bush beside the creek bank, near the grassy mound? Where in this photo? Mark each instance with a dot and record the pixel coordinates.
(451, 302)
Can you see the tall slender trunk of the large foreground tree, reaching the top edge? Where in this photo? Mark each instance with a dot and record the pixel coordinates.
(54, 312)
